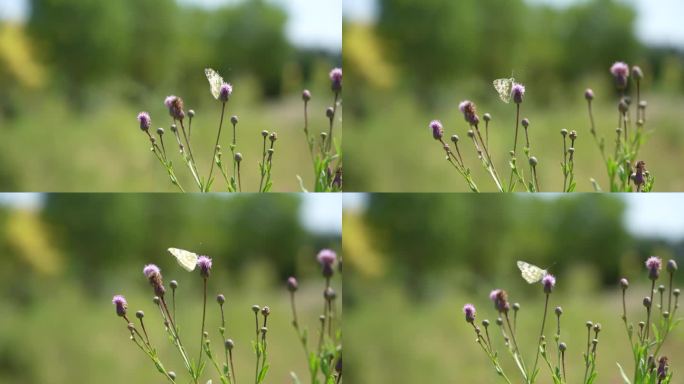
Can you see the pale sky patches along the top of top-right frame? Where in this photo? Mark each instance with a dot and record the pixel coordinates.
(658, 21)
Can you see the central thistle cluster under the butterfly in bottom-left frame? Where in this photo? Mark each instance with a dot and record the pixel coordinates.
(222, 362)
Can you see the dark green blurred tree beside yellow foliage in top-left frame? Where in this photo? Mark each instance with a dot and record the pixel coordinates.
(83, 41)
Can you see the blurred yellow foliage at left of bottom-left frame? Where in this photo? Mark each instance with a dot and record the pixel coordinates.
(30, 239)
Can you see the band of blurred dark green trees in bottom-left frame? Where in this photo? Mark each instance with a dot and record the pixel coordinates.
(100, 233)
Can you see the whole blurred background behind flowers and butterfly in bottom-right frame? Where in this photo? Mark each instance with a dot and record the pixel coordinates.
(414, 260)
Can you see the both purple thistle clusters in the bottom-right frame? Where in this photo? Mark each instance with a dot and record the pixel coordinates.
(550, 353)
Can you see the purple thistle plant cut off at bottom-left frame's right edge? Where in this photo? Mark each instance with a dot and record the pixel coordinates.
(324, 360)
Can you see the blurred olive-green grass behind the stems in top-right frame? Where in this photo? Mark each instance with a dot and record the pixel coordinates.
(390, 148)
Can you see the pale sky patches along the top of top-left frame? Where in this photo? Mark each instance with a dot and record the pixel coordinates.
(312, 23)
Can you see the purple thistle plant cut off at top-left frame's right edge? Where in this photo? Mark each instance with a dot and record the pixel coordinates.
(325, 153)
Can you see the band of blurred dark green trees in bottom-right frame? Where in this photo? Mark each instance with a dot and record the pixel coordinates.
(426, 235)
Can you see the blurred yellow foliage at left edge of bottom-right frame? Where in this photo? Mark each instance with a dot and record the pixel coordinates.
(358, 247)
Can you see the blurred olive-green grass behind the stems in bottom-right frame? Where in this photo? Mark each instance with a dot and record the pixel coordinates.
(393, 339)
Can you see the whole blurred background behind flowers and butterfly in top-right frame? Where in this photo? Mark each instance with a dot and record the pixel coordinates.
(409, 62)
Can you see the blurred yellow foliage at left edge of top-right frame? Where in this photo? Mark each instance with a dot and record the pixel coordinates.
(363, 51)
